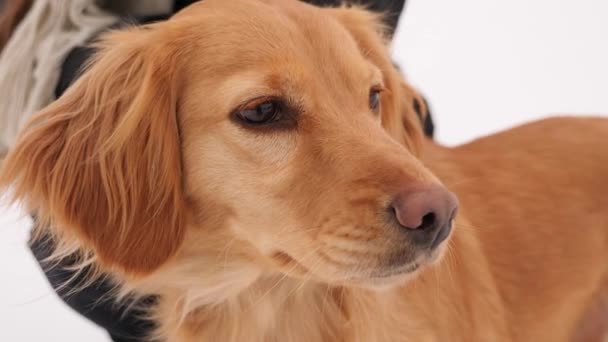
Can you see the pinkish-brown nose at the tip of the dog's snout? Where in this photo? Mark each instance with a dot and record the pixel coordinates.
(425, 214)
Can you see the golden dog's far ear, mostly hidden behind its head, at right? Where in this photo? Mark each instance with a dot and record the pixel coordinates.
(398, 114)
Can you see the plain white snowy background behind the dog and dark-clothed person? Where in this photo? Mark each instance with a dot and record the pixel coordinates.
(484, 65)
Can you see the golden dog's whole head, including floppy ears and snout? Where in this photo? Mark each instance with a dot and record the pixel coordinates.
(239, 137)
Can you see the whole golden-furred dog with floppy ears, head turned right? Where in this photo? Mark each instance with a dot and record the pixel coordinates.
(227, 217)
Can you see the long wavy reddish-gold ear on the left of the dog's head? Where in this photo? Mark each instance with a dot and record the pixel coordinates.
(103, 163)
